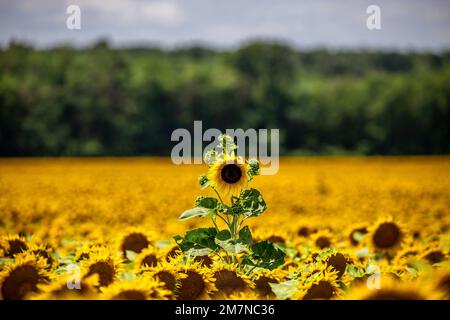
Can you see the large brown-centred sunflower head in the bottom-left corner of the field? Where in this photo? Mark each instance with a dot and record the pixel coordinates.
(22, 277)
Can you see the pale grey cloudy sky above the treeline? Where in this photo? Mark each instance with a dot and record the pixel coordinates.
(406, 24)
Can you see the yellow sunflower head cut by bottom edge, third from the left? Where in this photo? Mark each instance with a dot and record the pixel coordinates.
(142, 288)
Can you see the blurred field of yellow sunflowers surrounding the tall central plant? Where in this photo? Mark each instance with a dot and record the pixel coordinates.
(351, 228)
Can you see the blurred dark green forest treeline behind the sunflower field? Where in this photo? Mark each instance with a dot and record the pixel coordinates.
(106, 101)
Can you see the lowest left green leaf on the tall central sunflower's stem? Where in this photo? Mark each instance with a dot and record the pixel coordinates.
(198, 242)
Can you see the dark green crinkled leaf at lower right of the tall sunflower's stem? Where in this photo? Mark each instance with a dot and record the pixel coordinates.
(265, 255)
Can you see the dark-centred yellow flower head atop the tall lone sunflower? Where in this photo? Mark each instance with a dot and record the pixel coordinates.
(228, 175)
